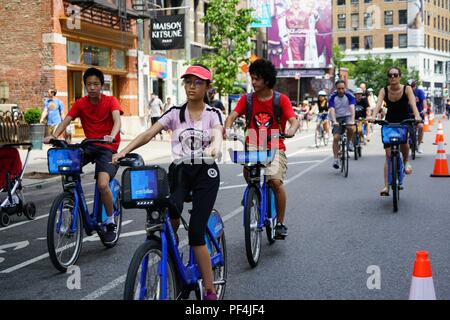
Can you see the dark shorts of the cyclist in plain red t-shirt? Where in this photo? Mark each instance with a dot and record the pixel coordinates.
(102, 158)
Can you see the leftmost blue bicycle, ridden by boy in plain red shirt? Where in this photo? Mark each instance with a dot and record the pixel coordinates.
(69, 212)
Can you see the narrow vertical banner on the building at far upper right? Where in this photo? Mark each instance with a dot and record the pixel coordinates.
(415, 23)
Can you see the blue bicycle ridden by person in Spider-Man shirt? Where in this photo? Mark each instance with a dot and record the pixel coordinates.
(259, 199)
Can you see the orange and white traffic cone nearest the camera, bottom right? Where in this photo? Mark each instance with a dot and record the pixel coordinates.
(422, 287)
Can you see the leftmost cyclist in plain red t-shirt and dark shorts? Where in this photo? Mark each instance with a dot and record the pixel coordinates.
(100, 118)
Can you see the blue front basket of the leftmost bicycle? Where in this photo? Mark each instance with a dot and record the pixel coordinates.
(64, 160)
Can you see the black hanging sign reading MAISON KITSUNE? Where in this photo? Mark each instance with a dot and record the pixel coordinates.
(167, 32)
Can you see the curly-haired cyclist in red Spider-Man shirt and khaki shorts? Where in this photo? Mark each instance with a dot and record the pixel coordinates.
(263, 124)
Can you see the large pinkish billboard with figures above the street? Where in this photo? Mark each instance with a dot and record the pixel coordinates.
(301, 34)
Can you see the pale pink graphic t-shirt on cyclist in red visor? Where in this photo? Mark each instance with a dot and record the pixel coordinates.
(190, 137)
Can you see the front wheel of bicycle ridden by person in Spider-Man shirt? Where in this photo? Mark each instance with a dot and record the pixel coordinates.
(252, 232)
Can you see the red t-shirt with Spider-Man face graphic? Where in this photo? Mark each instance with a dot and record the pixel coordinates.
(263, 119)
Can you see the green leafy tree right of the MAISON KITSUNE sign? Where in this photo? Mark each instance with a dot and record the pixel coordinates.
(230, 34)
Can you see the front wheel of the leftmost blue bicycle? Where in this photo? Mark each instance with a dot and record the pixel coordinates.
(63, 243)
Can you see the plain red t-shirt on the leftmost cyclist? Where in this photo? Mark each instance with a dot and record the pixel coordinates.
(97, 120)
